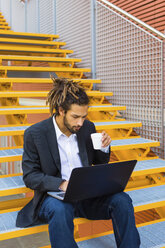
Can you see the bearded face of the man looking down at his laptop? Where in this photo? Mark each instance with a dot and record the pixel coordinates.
(74, 118)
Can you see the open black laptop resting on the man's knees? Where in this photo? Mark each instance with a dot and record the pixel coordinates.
(94, 181)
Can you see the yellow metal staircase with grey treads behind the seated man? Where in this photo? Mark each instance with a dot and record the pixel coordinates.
(25, 52)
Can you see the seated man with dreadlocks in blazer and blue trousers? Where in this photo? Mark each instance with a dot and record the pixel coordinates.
(52, 148)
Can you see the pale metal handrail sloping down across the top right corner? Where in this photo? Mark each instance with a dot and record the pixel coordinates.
(133, 18)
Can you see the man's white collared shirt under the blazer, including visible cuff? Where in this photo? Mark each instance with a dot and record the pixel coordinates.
(69, 152)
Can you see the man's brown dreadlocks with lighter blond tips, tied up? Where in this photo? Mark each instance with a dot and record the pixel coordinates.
(64, 93)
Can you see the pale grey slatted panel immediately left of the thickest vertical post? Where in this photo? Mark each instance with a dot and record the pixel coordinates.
(74, 27)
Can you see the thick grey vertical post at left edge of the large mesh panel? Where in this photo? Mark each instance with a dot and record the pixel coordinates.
(93, 38)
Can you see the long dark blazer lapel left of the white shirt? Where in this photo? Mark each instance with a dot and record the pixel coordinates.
(52, 143)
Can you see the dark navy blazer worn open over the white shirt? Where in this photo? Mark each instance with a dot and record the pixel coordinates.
(41, 163)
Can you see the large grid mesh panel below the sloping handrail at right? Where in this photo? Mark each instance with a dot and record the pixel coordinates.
(129, 62)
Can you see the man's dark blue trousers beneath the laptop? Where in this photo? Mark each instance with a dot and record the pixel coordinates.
(59, 215)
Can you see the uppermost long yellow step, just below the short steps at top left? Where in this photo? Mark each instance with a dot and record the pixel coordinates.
(24, 35)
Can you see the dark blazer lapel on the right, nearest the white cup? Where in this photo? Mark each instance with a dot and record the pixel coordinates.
(82, 149)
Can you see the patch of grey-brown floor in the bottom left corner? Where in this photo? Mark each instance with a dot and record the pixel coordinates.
(30, 241)
